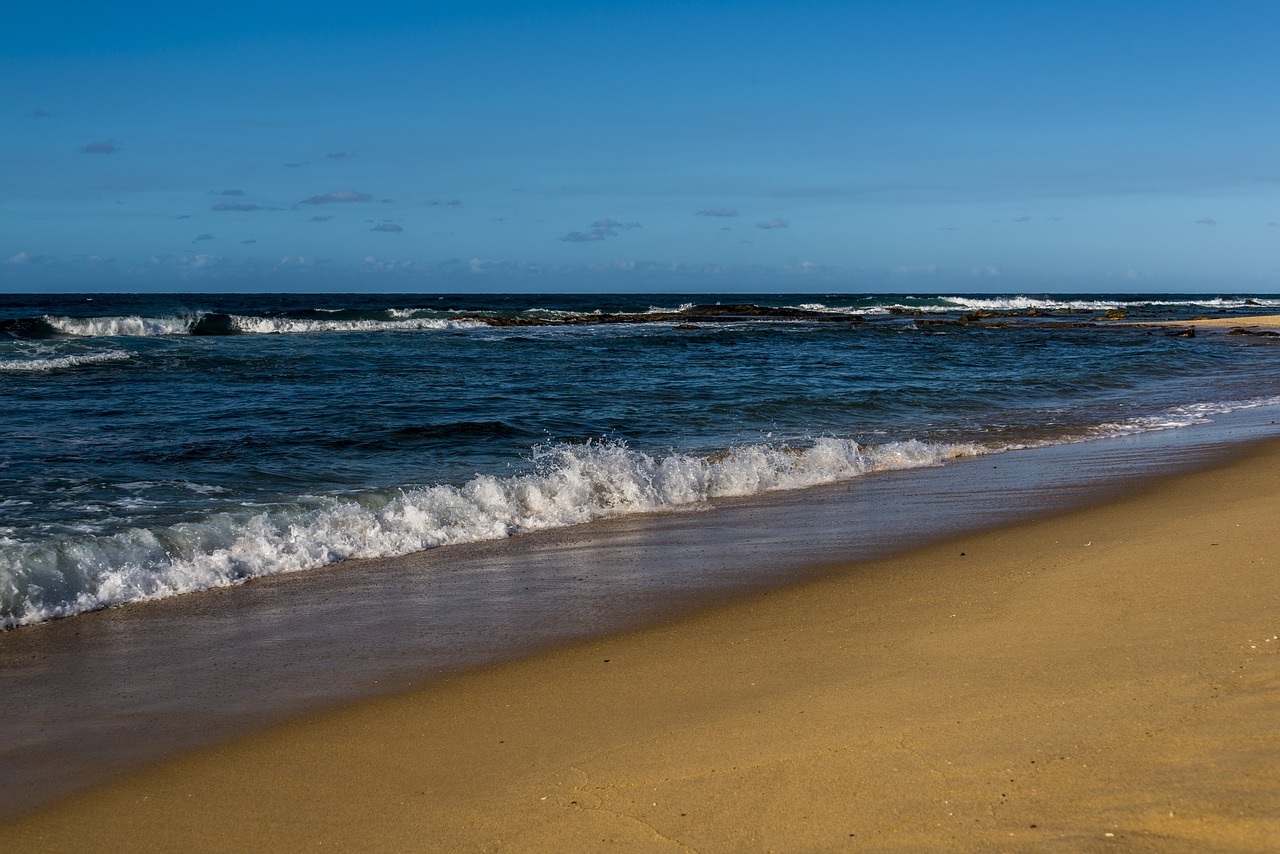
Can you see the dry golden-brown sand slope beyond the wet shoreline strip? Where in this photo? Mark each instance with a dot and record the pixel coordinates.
(1104, 679)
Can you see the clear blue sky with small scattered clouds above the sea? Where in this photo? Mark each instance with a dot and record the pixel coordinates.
(719, 147)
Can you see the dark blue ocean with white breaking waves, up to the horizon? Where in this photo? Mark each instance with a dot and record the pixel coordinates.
(161, 445)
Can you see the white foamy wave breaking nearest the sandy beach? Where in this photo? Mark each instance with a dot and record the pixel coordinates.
(572, 485)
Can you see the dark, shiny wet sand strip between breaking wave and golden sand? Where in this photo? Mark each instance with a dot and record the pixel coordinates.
(95, 696)
